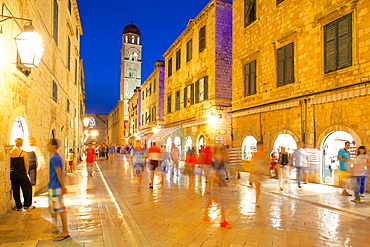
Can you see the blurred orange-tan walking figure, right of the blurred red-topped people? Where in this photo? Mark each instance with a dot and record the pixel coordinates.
(259, 169)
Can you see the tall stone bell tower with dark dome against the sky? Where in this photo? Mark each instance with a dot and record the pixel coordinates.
(131, 55)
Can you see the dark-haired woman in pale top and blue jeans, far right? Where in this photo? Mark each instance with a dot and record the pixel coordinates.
(359, 172)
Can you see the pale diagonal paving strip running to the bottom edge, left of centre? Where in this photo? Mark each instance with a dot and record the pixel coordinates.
(136, 231)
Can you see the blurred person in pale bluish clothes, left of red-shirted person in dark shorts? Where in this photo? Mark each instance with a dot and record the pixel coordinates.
(138, 156)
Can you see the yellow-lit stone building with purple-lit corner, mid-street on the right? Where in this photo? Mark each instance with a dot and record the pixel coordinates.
(197, 96)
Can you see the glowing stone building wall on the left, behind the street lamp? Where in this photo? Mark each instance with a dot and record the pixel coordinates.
(42, 102)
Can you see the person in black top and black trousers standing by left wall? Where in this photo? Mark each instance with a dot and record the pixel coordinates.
(18, 176)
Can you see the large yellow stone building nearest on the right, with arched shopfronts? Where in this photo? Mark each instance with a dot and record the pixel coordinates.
(301, 71)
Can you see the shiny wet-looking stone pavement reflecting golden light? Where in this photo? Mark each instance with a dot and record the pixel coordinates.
(108, 210)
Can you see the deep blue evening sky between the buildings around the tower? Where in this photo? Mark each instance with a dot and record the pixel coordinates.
(160, 23)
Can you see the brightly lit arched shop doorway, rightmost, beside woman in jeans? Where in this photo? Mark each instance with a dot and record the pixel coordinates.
(330, 146)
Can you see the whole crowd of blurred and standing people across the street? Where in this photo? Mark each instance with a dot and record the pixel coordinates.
(219, 164)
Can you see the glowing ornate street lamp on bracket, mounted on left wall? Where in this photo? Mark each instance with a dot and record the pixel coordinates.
(29, 44)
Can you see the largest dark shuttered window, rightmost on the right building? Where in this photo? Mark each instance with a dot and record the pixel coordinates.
(334, 27)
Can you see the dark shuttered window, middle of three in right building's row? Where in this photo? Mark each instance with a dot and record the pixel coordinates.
(285, 65)
